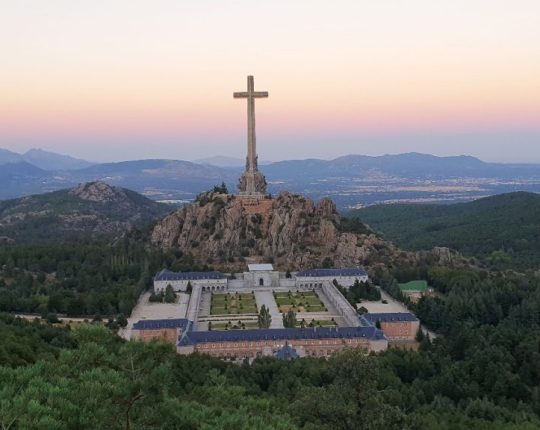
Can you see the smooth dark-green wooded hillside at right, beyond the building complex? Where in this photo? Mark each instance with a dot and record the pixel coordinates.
(503, 230)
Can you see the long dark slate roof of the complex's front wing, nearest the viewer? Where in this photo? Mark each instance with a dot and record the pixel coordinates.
(284, 334)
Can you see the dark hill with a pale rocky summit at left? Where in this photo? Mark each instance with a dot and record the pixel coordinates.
(88, 210)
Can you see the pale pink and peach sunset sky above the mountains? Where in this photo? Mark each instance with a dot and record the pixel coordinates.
(110, 80)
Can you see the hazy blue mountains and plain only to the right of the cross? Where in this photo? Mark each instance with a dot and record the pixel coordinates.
(357, 180)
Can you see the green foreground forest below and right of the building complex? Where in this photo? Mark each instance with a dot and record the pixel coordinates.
(481, 372)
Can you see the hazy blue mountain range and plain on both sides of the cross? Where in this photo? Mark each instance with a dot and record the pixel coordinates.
(352, 181)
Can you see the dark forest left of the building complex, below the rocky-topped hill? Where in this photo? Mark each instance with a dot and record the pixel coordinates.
(81, 278)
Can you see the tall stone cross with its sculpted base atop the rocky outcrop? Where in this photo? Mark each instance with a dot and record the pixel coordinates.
(252, 181)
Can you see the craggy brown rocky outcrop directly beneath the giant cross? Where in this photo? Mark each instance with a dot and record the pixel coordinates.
(291, 231)
